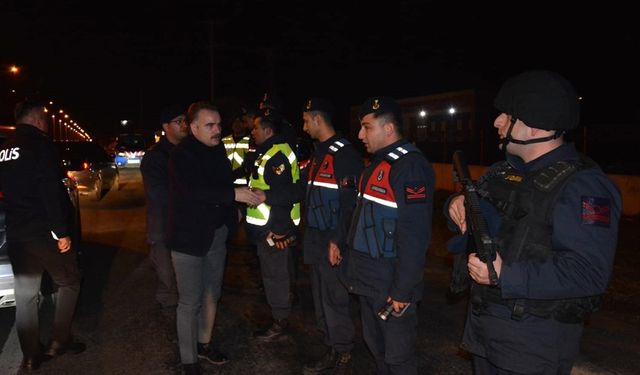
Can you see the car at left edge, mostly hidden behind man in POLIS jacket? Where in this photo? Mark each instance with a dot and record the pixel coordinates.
(7, 298)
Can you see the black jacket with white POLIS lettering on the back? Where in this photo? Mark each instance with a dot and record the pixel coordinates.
(31, 180)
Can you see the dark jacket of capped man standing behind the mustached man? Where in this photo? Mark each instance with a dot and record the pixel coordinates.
(155, 177)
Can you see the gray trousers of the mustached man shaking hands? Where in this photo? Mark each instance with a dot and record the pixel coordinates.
(199, 282)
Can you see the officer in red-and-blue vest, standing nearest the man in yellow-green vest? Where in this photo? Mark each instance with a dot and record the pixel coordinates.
(329, 203)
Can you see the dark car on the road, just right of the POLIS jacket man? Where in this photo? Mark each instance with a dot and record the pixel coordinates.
(95, 172)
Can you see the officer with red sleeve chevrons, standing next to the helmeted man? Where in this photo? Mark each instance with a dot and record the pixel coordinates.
(389, 236)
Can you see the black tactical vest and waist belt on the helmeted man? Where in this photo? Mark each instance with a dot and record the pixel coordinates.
(526, 204)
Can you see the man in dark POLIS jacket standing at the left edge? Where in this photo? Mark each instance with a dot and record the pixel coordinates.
(38, 233)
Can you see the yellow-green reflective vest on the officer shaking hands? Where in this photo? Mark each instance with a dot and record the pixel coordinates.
(260, 215)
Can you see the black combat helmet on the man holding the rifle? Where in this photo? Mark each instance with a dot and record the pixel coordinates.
(541, 99)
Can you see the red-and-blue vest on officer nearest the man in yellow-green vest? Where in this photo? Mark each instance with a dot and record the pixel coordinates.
(323, 196)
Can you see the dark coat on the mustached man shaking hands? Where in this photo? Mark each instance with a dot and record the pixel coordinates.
(201, 196)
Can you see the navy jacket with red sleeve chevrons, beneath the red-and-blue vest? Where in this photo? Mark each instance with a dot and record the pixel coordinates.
(400, 277)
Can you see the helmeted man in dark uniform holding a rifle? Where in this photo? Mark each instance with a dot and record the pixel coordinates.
(555, 215)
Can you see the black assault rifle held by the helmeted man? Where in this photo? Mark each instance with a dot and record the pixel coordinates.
(477, 226)
